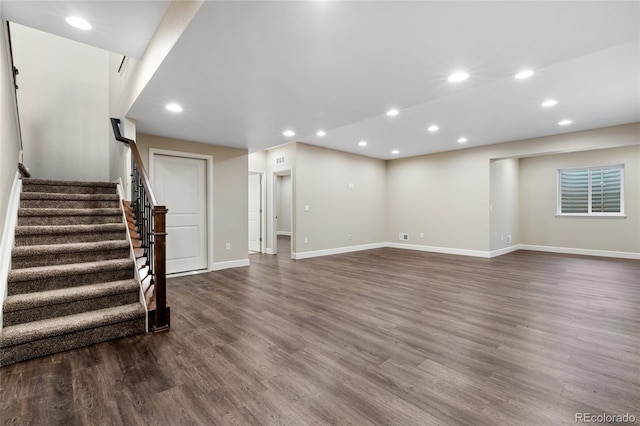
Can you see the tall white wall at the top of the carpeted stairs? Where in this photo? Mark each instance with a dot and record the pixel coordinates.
(64, 105)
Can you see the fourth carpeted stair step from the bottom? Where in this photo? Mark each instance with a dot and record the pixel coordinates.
(61, 254)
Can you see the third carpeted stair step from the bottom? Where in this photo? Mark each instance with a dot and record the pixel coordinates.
(44, 278)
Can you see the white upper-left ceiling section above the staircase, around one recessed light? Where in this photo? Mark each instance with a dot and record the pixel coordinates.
(121, 26)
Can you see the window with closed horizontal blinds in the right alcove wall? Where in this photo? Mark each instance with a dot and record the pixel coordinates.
(593, 191)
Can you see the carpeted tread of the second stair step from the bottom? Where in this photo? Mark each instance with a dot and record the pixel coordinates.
(24, 301)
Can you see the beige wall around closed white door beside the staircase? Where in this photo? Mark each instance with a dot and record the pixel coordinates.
(230, 187)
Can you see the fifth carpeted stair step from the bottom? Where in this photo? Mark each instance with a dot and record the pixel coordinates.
(62, 234)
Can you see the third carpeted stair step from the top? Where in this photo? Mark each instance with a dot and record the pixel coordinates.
(43, 216)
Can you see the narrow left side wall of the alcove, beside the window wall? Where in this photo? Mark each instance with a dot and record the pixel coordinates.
(504, 214)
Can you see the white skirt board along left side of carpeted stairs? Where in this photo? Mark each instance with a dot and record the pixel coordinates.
(8, 237)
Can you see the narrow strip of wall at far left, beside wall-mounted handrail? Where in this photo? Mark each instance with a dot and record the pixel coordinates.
(9, 142)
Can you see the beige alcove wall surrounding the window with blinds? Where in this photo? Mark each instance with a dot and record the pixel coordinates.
(539, 225)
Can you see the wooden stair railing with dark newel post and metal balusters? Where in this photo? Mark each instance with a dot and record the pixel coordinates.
(150, 220)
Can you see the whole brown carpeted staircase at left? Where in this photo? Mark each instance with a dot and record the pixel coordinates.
(72, 281)
